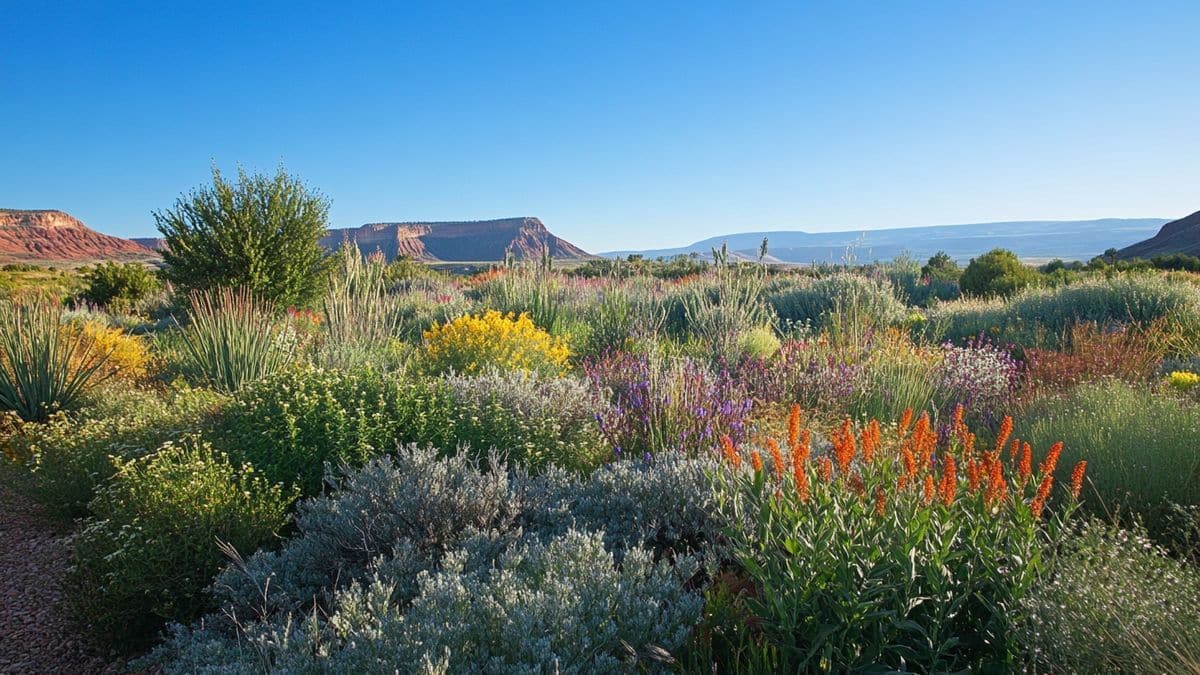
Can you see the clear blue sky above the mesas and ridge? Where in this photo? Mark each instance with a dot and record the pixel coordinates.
(620, 124)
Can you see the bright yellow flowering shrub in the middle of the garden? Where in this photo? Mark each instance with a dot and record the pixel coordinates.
(475, 343)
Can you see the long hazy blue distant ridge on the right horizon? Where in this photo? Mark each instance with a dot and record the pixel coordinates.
(1070, 241)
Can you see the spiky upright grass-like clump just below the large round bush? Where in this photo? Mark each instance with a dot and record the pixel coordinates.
(232, 339)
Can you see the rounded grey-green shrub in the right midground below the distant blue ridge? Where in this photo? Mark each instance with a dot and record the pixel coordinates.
(815, 302)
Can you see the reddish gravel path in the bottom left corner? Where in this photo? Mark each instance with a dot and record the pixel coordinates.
(35, 634)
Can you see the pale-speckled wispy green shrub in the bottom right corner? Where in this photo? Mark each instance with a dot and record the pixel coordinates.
(1115, 604)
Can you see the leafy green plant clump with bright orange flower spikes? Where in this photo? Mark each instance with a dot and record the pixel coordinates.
(893, 549)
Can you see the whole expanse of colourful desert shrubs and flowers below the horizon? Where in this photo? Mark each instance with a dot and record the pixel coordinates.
(631, 467)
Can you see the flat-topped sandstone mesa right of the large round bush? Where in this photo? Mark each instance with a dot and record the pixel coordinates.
(460, 242)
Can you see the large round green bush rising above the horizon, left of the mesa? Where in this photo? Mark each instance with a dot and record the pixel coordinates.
(261, 234)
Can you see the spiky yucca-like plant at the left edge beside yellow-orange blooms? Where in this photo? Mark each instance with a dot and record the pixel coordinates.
(43, 368)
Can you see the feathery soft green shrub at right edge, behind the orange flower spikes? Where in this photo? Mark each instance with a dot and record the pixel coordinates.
(1141, 446)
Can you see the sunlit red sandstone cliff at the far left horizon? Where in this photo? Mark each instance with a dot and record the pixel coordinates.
(50, 236)
